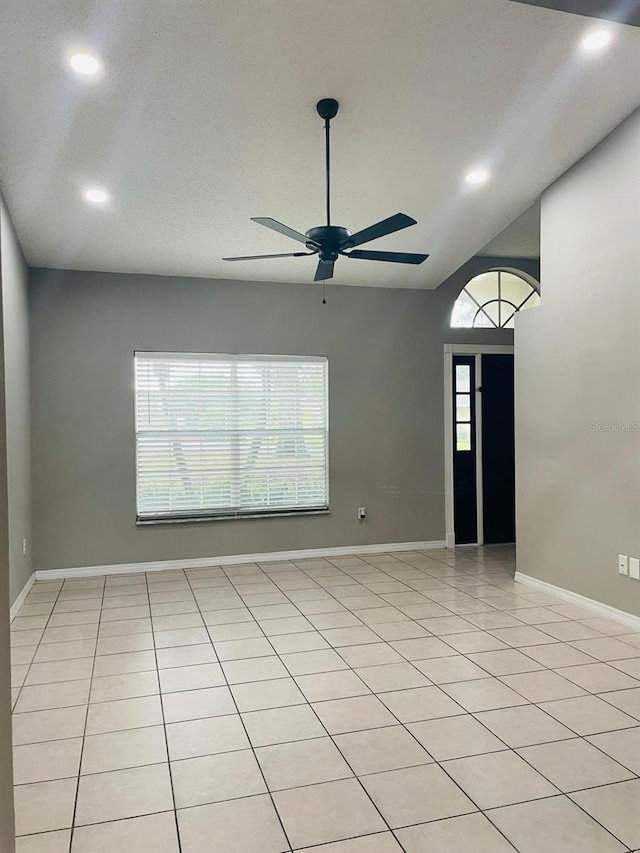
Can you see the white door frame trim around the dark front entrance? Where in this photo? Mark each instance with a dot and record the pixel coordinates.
(476, 350)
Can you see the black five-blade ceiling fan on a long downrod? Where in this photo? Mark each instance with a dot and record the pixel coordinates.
(329, 241)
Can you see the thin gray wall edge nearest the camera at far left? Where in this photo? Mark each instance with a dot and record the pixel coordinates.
(7, 844)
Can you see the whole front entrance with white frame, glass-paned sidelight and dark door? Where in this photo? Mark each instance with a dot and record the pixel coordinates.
(479, 445)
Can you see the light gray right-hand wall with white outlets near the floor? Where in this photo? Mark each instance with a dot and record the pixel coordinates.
(578, 366)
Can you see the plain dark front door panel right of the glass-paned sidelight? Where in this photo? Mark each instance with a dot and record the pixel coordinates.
(498, 449)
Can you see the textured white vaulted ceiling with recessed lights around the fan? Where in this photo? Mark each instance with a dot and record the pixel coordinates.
(205, 117)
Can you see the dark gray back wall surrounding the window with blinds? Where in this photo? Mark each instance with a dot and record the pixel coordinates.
(385, 350)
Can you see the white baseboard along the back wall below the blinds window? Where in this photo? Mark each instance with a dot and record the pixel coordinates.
(203, 562)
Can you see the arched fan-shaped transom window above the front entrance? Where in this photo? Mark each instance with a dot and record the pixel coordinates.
(490, 300)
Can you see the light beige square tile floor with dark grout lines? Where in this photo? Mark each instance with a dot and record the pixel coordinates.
(416, 701)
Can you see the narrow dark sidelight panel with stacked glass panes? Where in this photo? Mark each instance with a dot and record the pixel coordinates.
(464, 450)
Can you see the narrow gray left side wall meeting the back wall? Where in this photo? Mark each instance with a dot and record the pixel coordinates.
(14, 274)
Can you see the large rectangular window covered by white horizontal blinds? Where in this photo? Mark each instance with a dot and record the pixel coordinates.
(230, 435)
